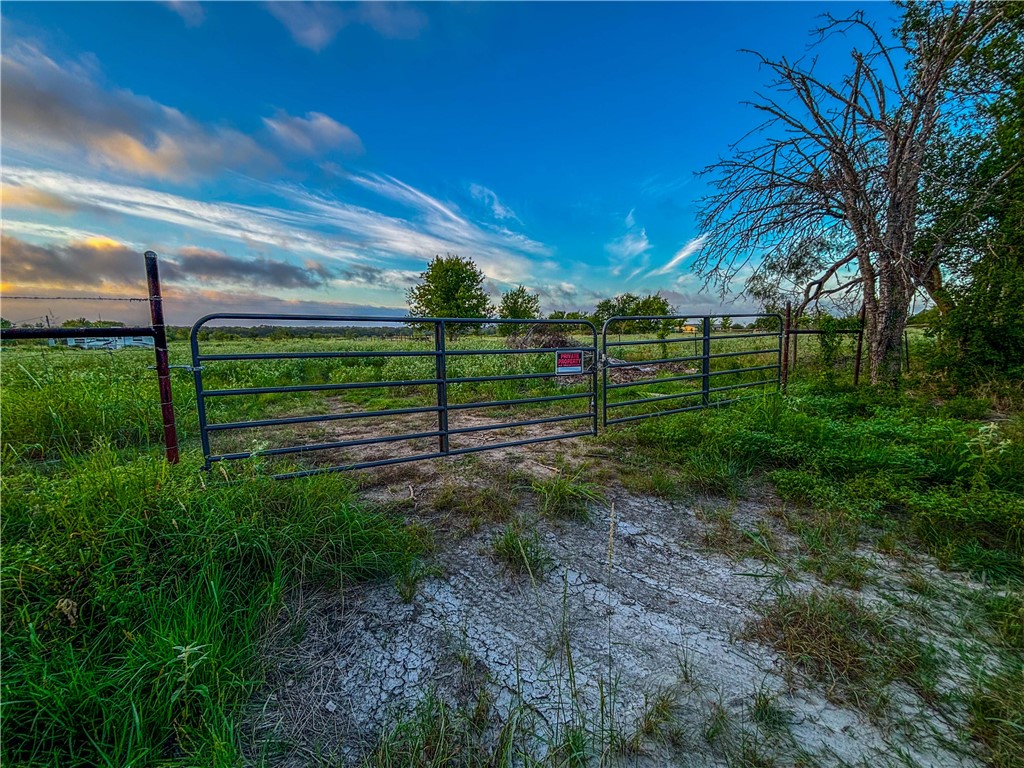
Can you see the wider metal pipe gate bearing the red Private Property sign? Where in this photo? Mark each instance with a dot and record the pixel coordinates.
(429, 408)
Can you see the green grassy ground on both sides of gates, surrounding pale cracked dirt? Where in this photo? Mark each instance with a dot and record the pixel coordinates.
(139, 599)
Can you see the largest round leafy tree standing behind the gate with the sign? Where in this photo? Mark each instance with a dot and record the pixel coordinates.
(451, 287)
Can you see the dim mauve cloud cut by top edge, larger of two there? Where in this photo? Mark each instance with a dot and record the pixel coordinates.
(316, 25)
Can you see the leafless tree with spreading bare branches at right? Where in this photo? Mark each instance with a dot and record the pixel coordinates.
(831, 200)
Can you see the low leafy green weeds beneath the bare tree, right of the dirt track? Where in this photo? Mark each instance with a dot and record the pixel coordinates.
(863, 459)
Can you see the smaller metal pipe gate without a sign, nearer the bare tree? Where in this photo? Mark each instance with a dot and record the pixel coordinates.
(656, 370)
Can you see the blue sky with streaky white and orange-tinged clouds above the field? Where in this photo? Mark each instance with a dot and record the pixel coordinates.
(315, 157)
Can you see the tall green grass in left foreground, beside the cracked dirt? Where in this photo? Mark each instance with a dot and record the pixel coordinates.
(136, 595)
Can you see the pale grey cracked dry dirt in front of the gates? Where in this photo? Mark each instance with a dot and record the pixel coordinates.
(643, 612)
